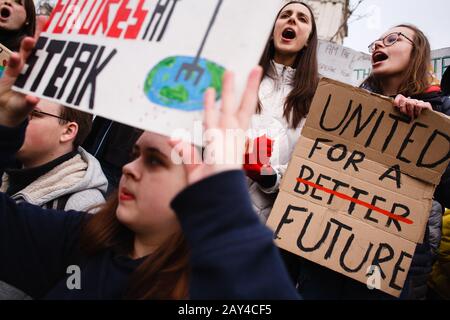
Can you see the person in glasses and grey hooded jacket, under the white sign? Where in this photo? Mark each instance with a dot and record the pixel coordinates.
(55, 171)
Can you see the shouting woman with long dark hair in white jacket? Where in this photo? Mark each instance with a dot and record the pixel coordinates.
(290, 80)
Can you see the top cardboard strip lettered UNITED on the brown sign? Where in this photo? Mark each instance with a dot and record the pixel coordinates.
(422, 137)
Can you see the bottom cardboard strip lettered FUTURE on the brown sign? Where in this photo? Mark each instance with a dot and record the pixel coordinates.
(360, 238)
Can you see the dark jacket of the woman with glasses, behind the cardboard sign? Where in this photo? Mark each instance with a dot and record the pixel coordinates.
(316, 282)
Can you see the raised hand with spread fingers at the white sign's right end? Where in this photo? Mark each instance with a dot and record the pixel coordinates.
(224, 126)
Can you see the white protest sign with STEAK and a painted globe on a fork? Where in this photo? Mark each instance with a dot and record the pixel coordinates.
(146, 63)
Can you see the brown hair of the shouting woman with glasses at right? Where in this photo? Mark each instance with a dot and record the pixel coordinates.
(417, 77)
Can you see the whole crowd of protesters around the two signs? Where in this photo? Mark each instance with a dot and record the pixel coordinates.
(111, 199)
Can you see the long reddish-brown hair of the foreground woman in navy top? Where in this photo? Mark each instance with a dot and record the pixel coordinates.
(162, 275)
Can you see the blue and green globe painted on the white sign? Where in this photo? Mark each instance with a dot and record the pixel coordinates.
(163, 88)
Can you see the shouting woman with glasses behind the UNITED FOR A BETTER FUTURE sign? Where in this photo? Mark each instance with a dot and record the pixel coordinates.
(400, 63)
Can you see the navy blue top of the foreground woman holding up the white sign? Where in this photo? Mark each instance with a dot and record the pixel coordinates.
(232, 254)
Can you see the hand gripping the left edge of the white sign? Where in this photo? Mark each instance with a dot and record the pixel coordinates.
(14, 107)
